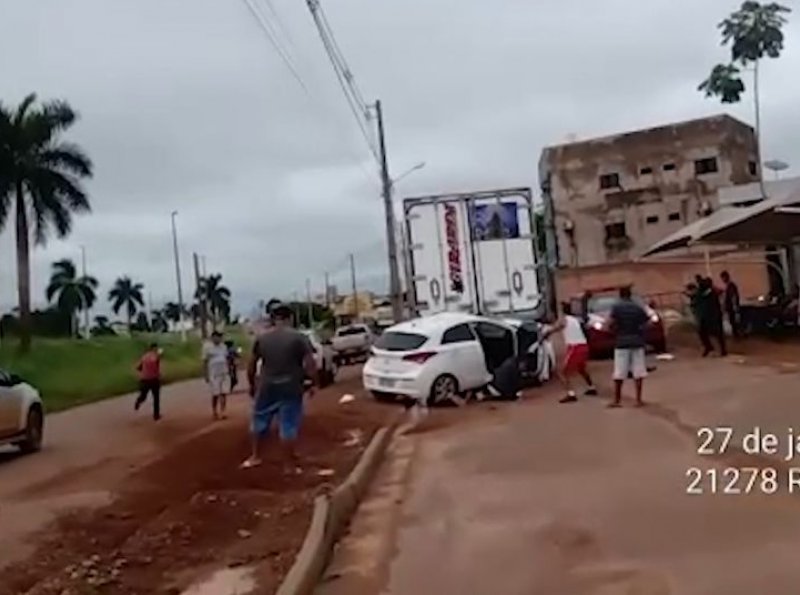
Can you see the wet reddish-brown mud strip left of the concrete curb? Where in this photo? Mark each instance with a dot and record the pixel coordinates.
(177, 520)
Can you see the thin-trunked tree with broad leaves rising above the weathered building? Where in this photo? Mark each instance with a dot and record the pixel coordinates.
(754, 32)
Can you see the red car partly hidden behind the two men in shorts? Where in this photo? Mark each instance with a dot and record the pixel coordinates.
(598, 326)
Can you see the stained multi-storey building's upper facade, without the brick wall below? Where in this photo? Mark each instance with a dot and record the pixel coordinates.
(613, 197)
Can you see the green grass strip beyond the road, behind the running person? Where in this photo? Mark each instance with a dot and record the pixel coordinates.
(74, 372)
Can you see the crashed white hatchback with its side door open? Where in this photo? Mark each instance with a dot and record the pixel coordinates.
(438, 357)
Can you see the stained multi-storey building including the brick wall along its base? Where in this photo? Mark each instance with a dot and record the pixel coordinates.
(613, 197)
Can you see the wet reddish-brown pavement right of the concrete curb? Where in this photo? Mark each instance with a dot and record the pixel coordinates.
(582, 500)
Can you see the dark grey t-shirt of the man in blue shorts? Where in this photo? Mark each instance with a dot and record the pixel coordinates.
(282, 353)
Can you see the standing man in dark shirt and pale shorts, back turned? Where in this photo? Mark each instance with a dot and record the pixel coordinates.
(628, 321)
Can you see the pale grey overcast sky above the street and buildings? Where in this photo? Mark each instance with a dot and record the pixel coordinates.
(186, 106)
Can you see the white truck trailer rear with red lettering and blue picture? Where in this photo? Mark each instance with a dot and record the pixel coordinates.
(476, 252)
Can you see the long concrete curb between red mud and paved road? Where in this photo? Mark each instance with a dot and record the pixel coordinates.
(331, 517)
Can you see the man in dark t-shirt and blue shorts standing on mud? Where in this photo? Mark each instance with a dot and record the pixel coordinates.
(287, 362)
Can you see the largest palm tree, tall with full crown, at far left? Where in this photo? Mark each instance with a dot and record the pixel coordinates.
(40, 178)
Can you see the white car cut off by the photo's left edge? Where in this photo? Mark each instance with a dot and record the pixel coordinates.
(21, 413)
